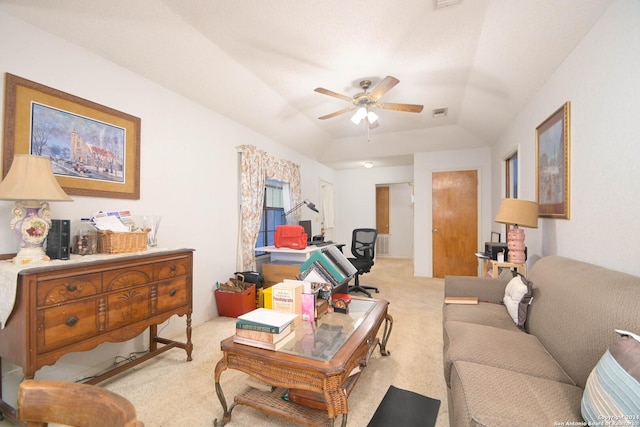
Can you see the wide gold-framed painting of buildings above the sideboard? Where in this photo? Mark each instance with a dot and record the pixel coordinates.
(94, 150)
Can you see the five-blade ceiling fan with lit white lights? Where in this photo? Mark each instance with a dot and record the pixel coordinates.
(365, 102)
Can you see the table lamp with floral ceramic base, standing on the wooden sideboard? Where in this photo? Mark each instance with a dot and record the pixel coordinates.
(31, 183)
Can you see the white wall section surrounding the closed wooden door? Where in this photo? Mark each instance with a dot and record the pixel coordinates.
(425, 164)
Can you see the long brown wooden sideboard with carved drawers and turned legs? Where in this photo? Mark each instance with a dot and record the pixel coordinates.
(75, 307)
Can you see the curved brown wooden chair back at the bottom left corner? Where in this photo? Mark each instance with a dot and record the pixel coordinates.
(78, 405)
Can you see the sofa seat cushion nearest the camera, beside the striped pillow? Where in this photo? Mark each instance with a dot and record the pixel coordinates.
(488, 396)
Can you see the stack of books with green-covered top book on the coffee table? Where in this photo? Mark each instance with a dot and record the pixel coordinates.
(265, 328)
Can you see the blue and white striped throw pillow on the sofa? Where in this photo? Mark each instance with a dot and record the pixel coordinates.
(613, 387)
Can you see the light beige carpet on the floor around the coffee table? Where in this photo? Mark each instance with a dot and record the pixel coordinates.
(167, 391)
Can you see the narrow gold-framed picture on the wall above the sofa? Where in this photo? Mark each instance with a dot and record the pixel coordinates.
(552, 164)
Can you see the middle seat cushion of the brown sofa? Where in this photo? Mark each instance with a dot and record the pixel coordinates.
(512, 350)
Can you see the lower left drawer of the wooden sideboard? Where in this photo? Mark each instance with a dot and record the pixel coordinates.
(66, 324)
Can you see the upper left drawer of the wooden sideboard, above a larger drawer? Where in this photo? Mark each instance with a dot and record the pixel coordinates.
(68, 288)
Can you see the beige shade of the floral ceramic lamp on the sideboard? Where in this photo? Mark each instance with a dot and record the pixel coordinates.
(31, 178)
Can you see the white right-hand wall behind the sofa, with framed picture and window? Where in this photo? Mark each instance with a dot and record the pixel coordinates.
(600, 79)
